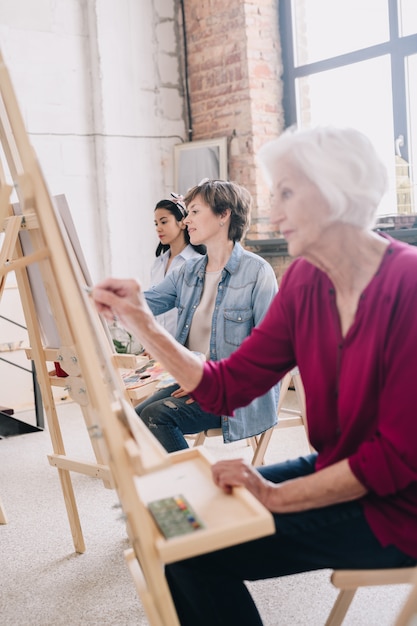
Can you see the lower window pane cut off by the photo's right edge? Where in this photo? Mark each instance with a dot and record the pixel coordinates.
(411, 72)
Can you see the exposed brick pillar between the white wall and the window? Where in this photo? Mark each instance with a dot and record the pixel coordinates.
(234, 68)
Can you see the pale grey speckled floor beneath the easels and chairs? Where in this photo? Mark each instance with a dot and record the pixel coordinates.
(43, 582)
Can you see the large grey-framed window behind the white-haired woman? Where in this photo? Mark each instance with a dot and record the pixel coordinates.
(354, 63)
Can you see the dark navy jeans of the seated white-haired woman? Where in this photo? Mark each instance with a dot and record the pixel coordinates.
(209, 589)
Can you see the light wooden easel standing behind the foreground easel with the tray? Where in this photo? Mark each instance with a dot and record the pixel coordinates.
(12, 258)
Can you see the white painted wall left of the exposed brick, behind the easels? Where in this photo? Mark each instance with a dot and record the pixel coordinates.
(99, 87)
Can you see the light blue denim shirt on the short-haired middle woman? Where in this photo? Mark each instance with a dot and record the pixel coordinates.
(246, 289)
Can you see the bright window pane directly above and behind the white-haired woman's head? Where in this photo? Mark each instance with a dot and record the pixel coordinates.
(357, 95)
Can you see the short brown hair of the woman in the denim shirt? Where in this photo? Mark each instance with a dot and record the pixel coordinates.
(221, 195)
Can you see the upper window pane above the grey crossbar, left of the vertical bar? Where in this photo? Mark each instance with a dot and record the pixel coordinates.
(327, 28)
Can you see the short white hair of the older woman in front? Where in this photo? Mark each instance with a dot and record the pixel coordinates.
(341, 162)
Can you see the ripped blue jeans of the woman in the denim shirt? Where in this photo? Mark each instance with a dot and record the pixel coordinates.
(169, 419)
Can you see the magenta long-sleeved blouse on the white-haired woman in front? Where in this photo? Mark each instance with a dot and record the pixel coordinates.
(361, 390)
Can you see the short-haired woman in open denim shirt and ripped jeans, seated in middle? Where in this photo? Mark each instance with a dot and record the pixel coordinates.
(229, 286)
